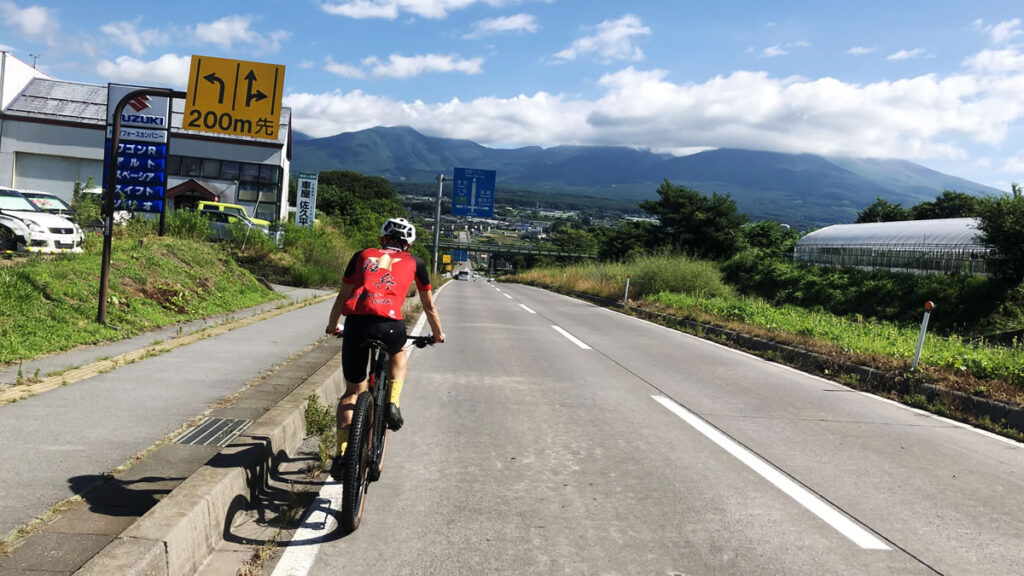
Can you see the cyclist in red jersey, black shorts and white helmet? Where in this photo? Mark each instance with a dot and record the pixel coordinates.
(372, 295)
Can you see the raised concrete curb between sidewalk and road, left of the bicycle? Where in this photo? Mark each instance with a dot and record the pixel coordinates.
(178, 536)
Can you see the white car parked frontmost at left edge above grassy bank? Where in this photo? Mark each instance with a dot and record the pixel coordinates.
(25, 227)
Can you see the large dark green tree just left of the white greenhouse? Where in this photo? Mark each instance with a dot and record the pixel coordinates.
(706, 227)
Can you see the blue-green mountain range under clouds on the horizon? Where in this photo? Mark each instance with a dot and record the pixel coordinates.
(802, 190)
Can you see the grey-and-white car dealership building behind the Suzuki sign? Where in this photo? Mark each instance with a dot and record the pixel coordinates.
(53, 136)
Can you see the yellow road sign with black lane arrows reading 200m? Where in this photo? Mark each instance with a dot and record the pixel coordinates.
(234, 98)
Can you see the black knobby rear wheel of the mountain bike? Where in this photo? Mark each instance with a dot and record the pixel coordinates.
(356, 465)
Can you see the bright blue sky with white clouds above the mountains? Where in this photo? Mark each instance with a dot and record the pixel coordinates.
(937, 83)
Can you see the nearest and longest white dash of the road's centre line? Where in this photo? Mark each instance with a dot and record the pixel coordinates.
(816, 506)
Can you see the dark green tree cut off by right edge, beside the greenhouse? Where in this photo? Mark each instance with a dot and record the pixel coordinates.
(1002, 225)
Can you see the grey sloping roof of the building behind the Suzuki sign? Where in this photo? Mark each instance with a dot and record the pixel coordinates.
(87, 104)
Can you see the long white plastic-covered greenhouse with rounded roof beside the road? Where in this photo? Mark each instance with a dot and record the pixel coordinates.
(940, 246)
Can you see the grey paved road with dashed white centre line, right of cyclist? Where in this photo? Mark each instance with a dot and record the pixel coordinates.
(550, 436)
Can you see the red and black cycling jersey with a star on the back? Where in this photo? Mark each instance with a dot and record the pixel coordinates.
(382, 277)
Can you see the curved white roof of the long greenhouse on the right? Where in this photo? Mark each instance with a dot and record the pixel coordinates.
(938, 232)
